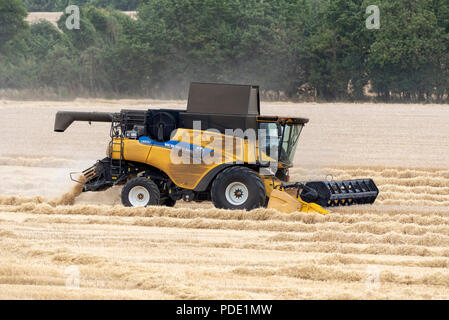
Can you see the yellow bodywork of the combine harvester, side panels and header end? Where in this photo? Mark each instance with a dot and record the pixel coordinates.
(187, 174)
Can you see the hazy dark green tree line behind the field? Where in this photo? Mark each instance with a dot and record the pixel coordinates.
(298, 49)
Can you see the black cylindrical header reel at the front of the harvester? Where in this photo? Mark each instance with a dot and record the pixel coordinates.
(344, 193)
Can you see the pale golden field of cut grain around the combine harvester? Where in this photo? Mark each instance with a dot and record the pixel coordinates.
(397, 248)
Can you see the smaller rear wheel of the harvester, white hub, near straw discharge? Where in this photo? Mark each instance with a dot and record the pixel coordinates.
(140, 192)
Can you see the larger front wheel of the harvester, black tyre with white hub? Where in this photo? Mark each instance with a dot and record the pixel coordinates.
(238, 188)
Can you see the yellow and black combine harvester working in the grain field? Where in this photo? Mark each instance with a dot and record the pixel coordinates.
(143, 155)
